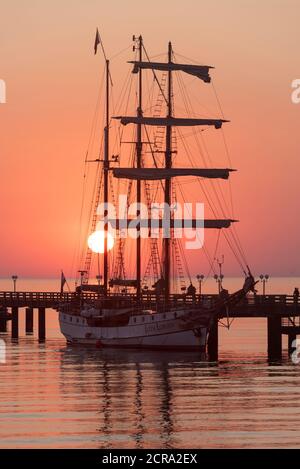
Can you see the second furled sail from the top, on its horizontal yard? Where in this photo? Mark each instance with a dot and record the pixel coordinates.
(170, 121)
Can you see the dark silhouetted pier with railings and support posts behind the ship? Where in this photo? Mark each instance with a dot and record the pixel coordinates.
(281, 311)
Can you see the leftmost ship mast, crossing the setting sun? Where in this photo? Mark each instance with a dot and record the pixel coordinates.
(105, 182)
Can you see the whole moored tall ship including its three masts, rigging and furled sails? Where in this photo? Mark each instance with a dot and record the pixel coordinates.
(130, 312)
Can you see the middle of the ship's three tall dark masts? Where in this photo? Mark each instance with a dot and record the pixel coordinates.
(139, 146)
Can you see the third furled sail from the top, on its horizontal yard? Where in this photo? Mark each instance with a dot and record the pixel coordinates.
(153, 174)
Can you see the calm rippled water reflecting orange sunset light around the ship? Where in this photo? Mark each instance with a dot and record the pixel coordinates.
(55, 396)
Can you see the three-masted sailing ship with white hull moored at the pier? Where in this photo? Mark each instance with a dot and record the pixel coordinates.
(121, 312)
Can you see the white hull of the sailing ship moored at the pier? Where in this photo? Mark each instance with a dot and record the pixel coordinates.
(148, 331)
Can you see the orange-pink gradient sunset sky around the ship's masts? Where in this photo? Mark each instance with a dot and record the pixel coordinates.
(51, 74)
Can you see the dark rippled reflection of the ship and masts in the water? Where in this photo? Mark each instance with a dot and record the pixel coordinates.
(135, 394)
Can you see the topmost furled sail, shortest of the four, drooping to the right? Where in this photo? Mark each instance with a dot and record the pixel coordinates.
(200, 71)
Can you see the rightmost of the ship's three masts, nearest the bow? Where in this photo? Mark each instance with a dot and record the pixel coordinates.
(168, 165)
